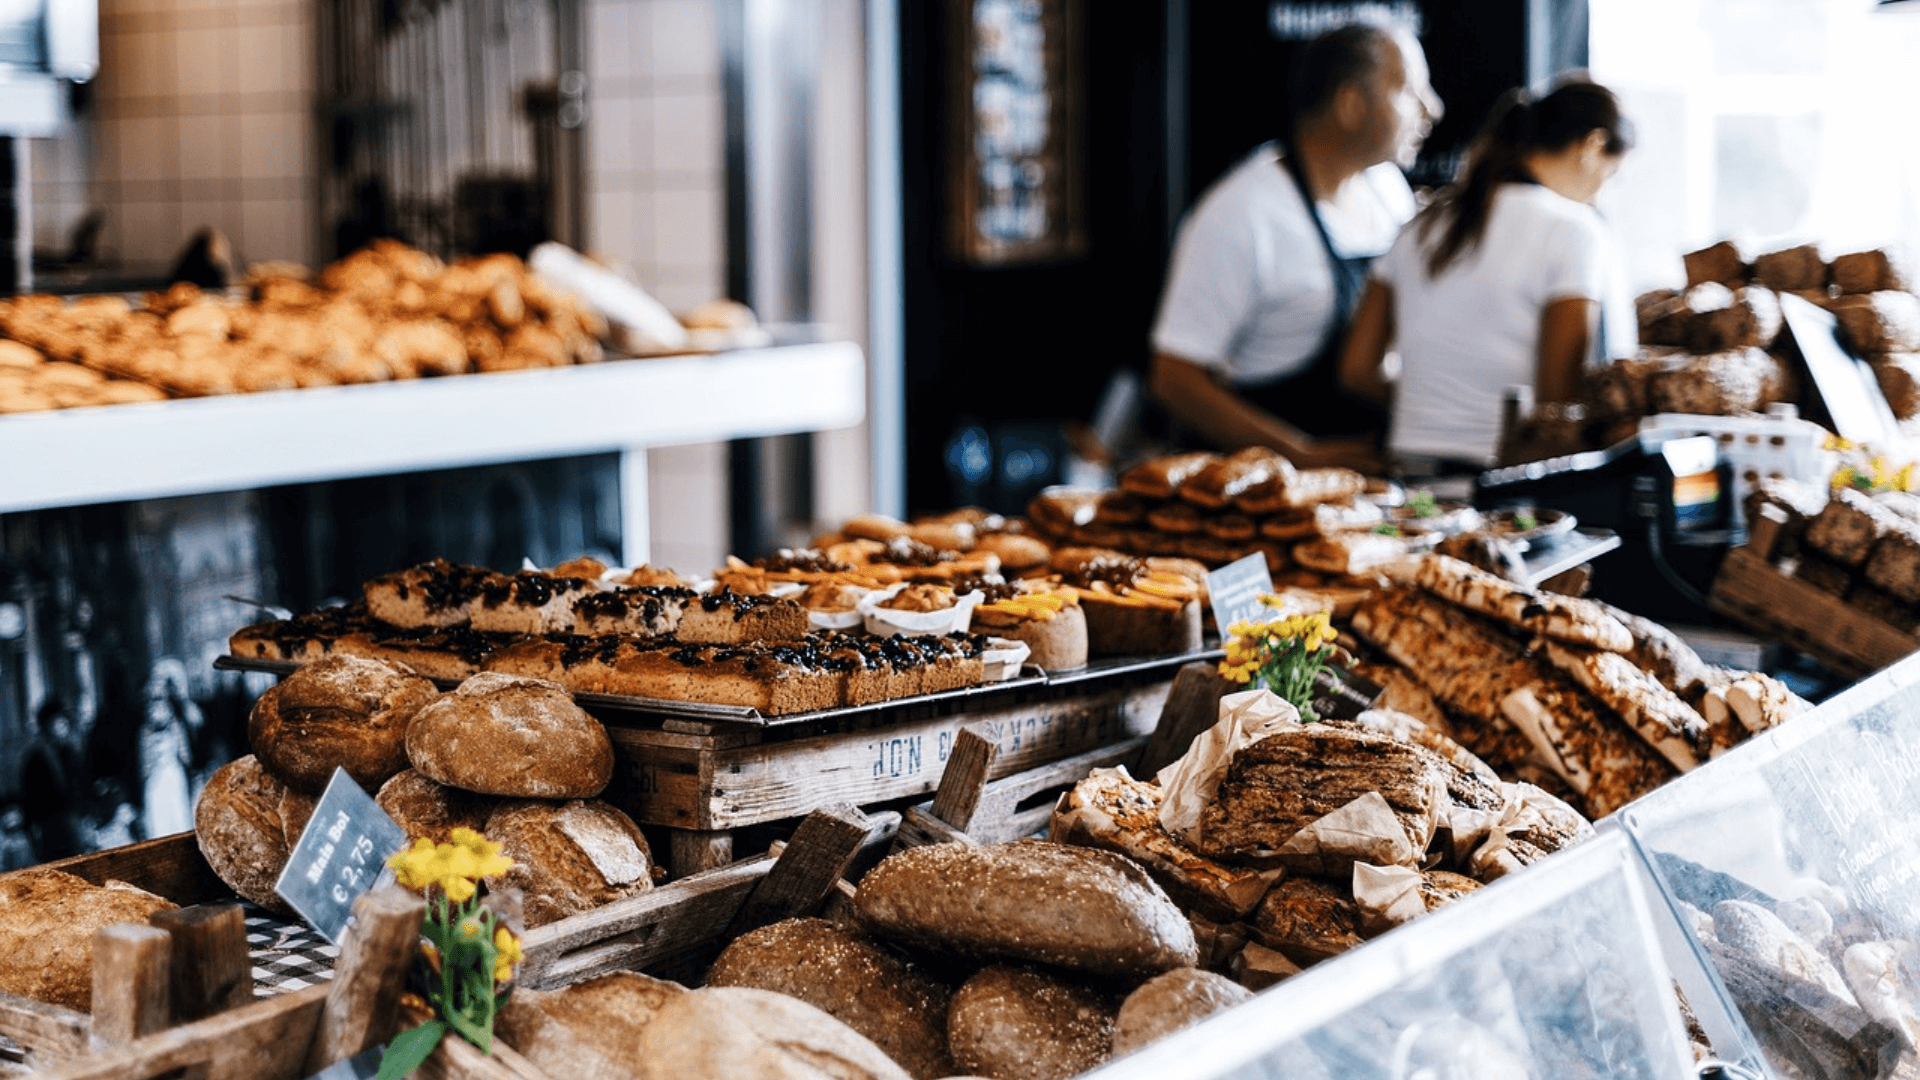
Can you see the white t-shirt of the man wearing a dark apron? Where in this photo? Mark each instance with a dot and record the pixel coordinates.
(1249, 289)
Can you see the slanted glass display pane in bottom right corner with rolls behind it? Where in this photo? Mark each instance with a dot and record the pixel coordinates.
(1792, 870)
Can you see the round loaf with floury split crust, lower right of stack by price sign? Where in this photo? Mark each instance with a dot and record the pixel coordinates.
(571, 858)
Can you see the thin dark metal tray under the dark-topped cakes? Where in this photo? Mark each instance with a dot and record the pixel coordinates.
(1028, 679)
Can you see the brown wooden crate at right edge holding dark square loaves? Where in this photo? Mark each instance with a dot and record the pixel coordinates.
(1756, 595)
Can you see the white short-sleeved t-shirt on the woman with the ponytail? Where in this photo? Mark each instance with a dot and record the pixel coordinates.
(1476, 330)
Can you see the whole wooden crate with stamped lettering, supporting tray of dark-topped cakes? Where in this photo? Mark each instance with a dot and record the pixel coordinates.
(706, 781)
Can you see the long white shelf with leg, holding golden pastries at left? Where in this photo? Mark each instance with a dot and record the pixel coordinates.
(256, 441)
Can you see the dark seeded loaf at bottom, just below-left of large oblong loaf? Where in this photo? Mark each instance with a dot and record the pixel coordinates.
(852, 979)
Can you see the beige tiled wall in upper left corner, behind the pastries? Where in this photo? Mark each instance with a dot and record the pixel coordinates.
(203, 116)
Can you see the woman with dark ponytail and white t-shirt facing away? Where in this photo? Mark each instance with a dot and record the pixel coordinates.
(1499, 283)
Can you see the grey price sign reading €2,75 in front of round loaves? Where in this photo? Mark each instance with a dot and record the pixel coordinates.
(341, 856)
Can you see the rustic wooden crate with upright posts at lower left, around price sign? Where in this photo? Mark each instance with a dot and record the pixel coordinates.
(295, 1035)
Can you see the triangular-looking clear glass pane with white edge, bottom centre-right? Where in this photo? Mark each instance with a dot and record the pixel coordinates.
(1554, 973)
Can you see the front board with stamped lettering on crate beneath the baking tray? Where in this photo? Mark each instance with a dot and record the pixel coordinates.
(773, 781)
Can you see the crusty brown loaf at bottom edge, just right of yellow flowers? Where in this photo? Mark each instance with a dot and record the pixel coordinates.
(587, 1031)
